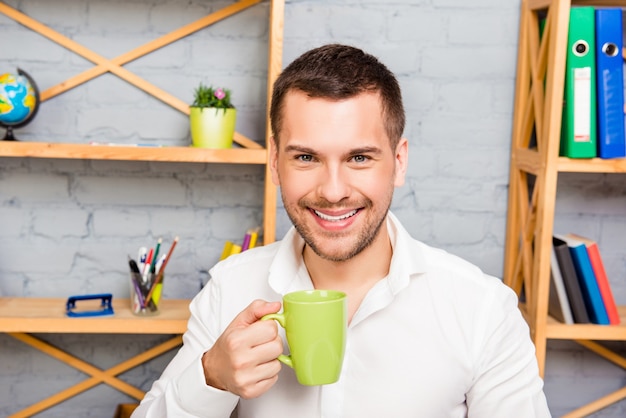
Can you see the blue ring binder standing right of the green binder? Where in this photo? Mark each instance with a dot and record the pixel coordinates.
(610, 83)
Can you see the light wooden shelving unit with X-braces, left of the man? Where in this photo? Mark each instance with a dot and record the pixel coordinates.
(19, 317)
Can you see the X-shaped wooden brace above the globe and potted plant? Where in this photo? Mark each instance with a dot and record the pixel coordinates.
(114, 65)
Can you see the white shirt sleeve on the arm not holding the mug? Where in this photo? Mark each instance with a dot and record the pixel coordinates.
(507, 381)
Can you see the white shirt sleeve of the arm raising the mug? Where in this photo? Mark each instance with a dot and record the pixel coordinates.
(181, 391)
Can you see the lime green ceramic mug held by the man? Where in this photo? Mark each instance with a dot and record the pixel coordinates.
(315, 323)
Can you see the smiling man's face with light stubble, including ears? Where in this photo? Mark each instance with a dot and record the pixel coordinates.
(336, 171)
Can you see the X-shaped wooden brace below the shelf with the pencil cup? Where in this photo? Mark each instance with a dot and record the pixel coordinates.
(98, 375)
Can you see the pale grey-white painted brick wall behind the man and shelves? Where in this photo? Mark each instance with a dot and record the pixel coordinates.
(66, 226)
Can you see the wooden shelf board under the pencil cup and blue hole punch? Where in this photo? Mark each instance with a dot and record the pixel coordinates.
(47, 315)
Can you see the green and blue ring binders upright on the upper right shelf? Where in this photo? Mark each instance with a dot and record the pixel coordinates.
(593, 113)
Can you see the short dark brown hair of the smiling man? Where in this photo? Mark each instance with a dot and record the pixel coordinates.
(339, 72)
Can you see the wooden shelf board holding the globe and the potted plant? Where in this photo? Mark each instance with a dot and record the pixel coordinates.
(132, 153)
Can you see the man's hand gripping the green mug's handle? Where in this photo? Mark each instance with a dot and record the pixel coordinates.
(243, 359)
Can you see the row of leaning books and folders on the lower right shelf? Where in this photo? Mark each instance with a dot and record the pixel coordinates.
(580, 291)
